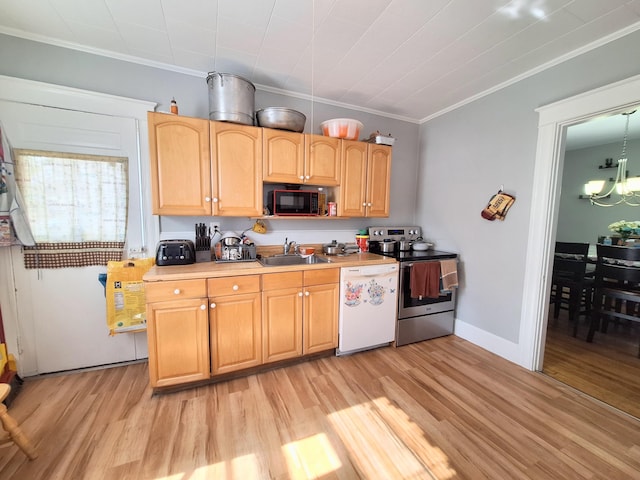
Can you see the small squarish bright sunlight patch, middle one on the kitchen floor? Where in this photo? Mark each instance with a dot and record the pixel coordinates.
(311, 457)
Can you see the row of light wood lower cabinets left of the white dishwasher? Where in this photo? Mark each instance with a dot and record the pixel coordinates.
(206, 327)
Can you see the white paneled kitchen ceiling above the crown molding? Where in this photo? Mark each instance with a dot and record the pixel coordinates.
(410, 59)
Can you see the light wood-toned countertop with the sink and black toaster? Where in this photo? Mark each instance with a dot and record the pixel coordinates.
(229, 269)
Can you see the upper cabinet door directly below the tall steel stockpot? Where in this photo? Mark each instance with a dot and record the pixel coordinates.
(236, 158)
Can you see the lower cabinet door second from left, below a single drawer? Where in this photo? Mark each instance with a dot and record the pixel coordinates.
(236, 332)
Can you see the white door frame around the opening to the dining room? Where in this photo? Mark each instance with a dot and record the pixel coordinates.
(554, 119)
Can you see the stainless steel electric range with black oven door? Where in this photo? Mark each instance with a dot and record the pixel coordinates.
(418, 318)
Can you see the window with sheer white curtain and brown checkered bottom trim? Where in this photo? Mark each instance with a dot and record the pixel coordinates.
(76, 205)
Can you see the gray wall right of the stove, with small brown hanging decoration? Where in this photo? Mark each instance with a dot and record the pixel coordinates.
(467, 154)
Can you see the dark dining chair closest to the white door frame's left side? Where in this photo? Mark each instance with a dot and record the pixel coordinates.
(571, 286)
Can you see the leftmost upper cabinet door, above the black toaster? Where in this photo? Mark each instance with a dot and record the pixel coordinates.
(180, 165)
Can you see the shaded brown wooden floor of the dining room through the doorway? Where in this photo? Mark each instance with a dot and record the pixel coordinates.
(607, 369)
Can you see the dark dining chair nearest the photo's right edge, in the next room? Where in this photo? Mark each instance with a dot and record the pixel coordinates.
(616, 287)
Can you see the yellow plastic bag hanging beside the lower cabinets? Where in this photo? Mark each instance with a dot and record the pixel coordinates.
(126, 310)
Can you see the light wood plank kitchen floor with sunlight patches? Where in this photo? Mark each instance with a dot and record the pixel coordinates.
(442, 409)
